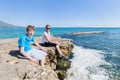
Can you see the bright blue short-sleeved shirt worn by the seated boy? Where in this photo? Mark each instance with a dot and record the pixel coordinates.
(24, 41)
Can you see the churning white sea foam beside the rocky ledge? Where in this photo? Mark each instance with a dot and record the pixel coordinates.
(85, 65)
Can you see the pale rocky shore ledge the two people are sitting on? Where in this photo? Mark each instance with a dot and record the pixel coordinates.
(14, 66)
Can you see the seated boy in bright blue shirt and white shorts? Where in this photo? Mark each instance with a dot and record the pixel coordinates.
(32, 54)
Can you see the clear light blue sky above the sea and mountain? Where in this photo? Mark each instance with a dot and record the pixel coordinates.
(61, 13)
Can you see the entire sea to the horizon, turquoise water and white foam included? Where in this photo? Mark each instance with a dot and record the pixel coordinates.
(95, 56)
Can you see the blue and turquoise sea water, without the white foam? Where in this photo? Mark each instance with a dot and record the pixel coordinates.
(108, 43)
